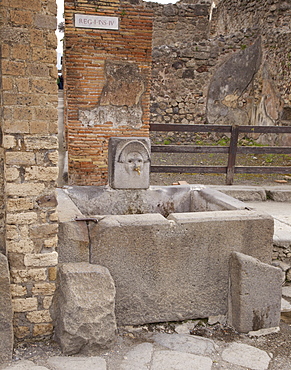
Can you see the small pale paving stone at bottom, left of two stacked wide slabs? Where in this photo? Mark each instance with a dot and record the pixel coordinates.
(138, 358)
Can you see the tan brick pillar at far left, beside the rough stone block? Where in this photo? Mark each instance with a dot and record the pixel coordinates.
(29, 127)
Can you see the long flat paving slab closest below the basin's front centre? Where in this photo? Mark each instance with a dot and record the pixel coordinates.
(186, 343)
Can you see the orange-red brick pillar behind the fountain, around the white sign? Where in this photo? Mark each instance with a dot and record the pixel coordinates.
(106, 84)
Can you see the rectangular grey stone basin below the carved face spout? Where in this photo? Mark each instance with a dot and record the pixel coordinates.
(170, 265)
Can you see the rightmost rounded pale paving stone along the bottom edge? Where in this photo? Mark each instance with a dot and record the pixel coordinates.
(247, 356)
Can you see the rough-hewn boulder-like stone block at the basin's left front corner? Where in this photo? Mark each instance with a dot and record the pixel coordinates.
(83, 308)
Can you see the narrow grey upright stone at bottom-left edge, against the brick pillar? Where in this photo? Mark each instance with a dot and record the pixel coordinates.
(6, 332)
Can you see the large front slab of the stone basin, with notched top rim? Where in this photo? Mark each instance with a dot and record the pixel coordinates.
(177, 268)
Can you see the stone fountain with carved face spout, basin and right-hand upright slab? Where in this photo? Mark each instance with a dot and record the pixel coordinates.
(174, 252)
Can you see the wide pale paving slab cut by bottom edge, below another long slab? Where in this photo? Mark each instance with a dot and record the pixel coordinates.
(174, 360)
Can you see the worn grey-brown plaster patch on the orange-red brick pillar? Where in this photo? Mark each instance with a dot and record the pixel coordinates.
(120, 101)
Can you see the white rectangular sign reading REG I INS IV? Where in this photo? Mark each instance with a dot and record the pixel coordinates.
(96, 21)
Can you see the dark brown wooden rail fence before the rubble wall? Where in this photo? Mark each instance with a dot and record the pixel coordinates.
(232, 150)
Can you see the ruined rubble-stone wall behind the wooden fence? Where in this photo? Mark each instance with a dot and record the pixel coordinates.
(226, 66)
